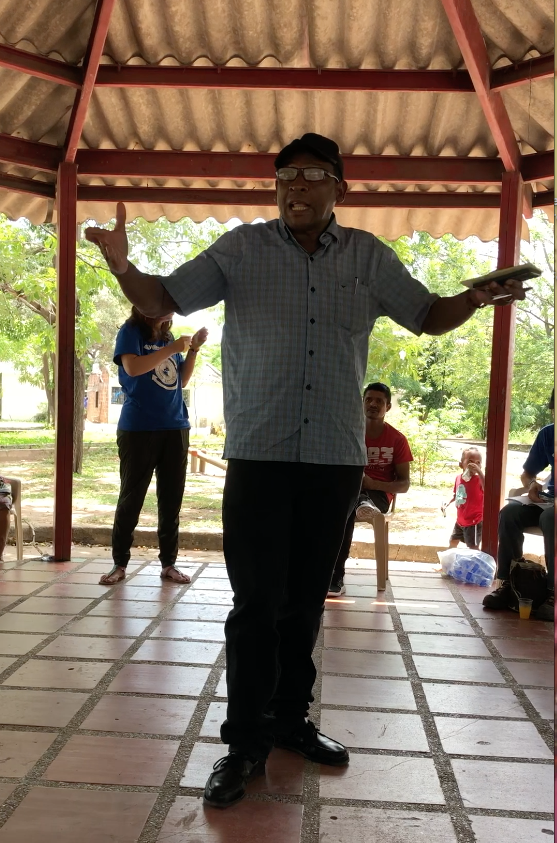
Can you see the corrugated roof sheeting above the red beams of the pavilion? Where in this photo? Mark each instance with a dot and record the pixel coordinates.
(412, 34)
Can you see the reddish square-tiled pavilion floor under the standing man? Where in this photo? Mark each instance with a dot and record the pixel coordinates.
(111, 701)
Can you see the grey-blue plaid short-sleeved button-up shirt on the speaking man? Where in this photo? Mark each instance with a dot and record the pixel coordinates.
(296, 332)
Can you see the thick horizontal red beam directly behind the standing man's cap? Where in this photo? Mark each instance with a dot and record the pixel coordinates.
(379, 169)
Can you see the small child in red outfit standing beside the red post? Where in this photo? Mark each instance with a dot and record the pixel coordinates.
(468, 495)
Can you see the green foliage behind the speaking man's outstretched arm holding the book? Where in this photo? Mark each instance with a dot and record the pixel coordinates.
(438, 371)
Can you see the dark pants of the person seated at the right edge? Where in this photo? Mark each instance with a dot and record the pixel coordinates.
(513, 520)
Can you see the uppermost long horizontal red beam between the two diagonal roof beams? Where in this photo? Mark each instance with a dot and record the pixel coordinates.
(283, 78)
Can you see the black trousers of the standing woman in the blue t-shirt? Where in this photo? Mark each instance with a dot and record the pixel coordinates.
(141, 453)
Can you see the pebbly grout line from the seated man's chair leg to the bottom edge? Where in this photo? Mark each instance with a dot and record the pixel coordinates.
(441, 761)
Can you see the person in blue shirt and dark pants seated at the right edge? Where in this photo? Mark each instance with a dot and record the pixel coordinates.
(515, 517)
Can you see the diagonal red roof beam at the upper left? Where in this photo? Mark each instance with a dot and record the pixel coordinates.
(91, 63)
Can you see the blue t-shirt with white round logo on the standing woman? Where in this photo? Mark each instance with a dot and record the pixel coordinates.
(153, 401)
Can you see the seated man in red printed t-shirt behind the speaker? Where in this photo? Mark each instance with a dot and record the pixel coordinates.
(387, 472)
